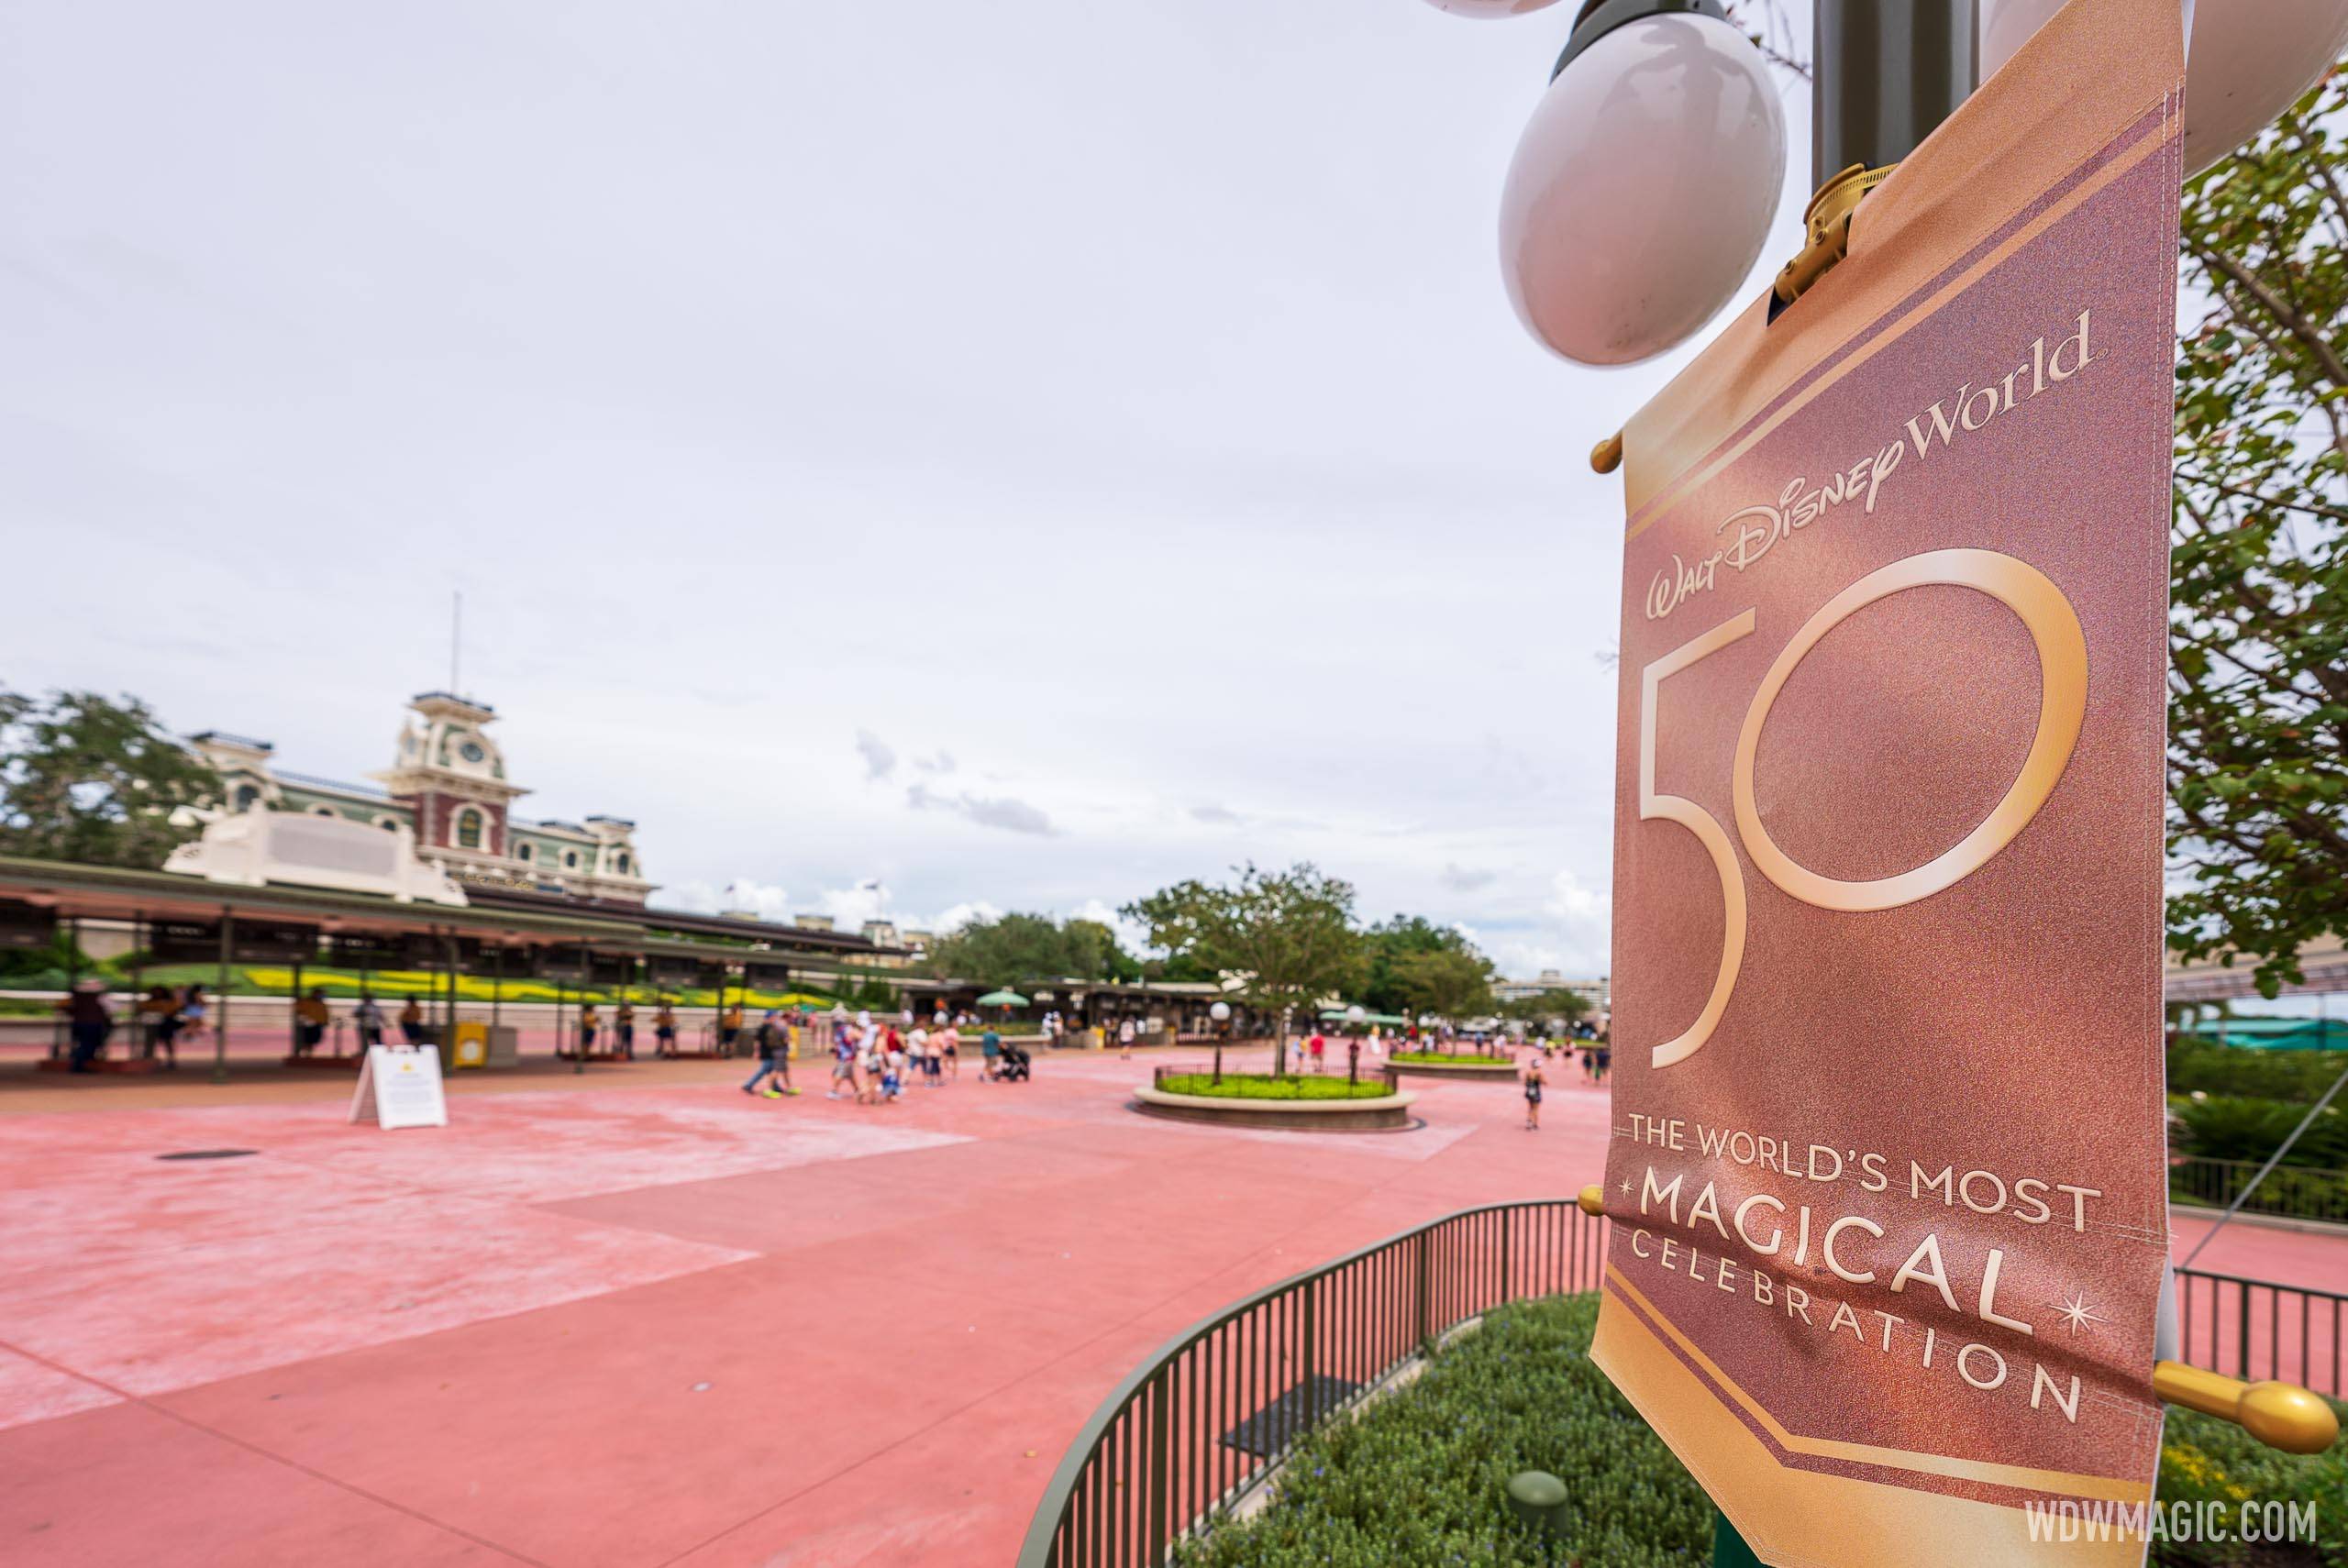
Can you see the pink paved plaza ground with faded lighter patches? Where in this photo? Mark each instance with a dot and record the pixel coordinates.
(642, 1320)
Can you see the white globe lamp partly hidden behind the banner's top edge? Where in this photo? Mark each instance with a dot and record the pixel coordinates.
(2246, 65)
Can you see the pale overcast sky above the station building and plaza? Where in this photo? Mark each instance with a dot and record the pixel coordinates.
(910, 457)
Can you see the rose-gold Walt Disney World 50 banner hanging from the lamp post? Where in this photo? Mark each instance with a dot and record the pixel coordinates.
(1889, 1154)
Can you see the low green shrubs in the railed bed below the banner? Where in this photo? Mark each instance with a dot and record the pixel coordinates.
(1419, 1478)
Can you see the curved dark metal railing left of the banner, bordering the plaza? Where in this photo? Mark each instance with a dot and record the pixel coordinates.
(1227, 1400)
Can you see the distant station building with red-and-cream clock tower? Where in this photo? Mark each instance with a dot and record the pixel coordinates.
(450, 788)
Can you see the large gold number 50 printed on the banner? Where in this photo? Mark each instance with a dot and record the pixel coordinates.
(2063, 705)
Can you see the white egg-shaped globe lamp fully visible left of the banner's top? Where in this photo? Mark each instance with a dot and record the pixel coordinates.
(1645, 184)
